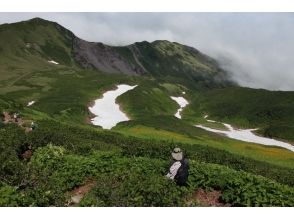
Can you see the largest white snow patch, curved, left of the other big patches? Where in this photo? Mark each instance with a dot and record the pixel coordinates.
(107, 111)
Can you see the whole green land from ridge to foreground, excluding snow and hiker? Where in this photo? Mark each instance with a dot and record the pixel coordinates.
(125, 166)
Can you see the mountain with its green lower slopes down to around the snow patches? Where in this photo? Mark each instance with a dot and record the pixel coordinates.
(161, 68)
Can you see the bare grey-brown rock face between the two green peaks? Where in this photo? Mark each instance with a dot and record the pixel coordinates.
(102, 57)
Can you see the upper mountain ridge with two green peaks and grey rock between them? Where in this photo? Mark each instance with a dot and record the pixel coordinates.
(36, 41)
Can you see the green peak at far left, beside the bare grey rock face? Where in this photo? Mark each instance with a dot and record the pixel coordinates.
(28, 45)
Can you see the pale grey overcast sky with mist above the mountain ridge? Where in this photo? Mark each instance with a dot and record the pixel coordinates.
(257, 48)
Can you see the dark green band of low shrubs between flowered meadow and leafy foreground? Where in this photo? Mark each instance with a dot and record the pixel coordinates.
(84, 141)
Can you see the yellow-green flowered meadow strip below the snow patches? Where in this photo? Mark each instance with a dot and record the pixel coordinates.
(158, 128)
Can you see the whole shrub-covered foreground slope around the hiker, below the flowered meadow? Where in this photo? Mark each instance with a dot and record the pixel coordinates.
(126, 171)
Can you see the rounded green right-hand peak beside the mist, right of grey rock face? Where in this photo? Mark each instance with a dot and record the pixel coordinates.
(173, 62)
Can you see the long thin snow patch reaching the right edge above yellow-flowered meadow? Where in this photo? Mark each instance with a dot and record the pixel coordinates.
(247, 135)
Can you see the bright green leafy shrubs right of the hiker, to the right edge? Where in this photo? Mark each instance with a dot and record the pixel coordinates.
(240, 188)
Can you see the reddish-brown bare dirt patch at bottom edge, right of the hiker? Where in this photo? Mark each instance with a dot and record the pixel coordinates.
(209, 198)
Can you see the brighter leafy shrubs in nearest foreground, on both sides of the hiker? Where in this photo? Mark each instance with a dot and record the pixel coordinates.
(116, 183)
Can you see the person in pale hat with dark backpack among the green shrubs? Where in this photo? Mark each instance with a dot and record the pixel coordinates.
(179, 169)
